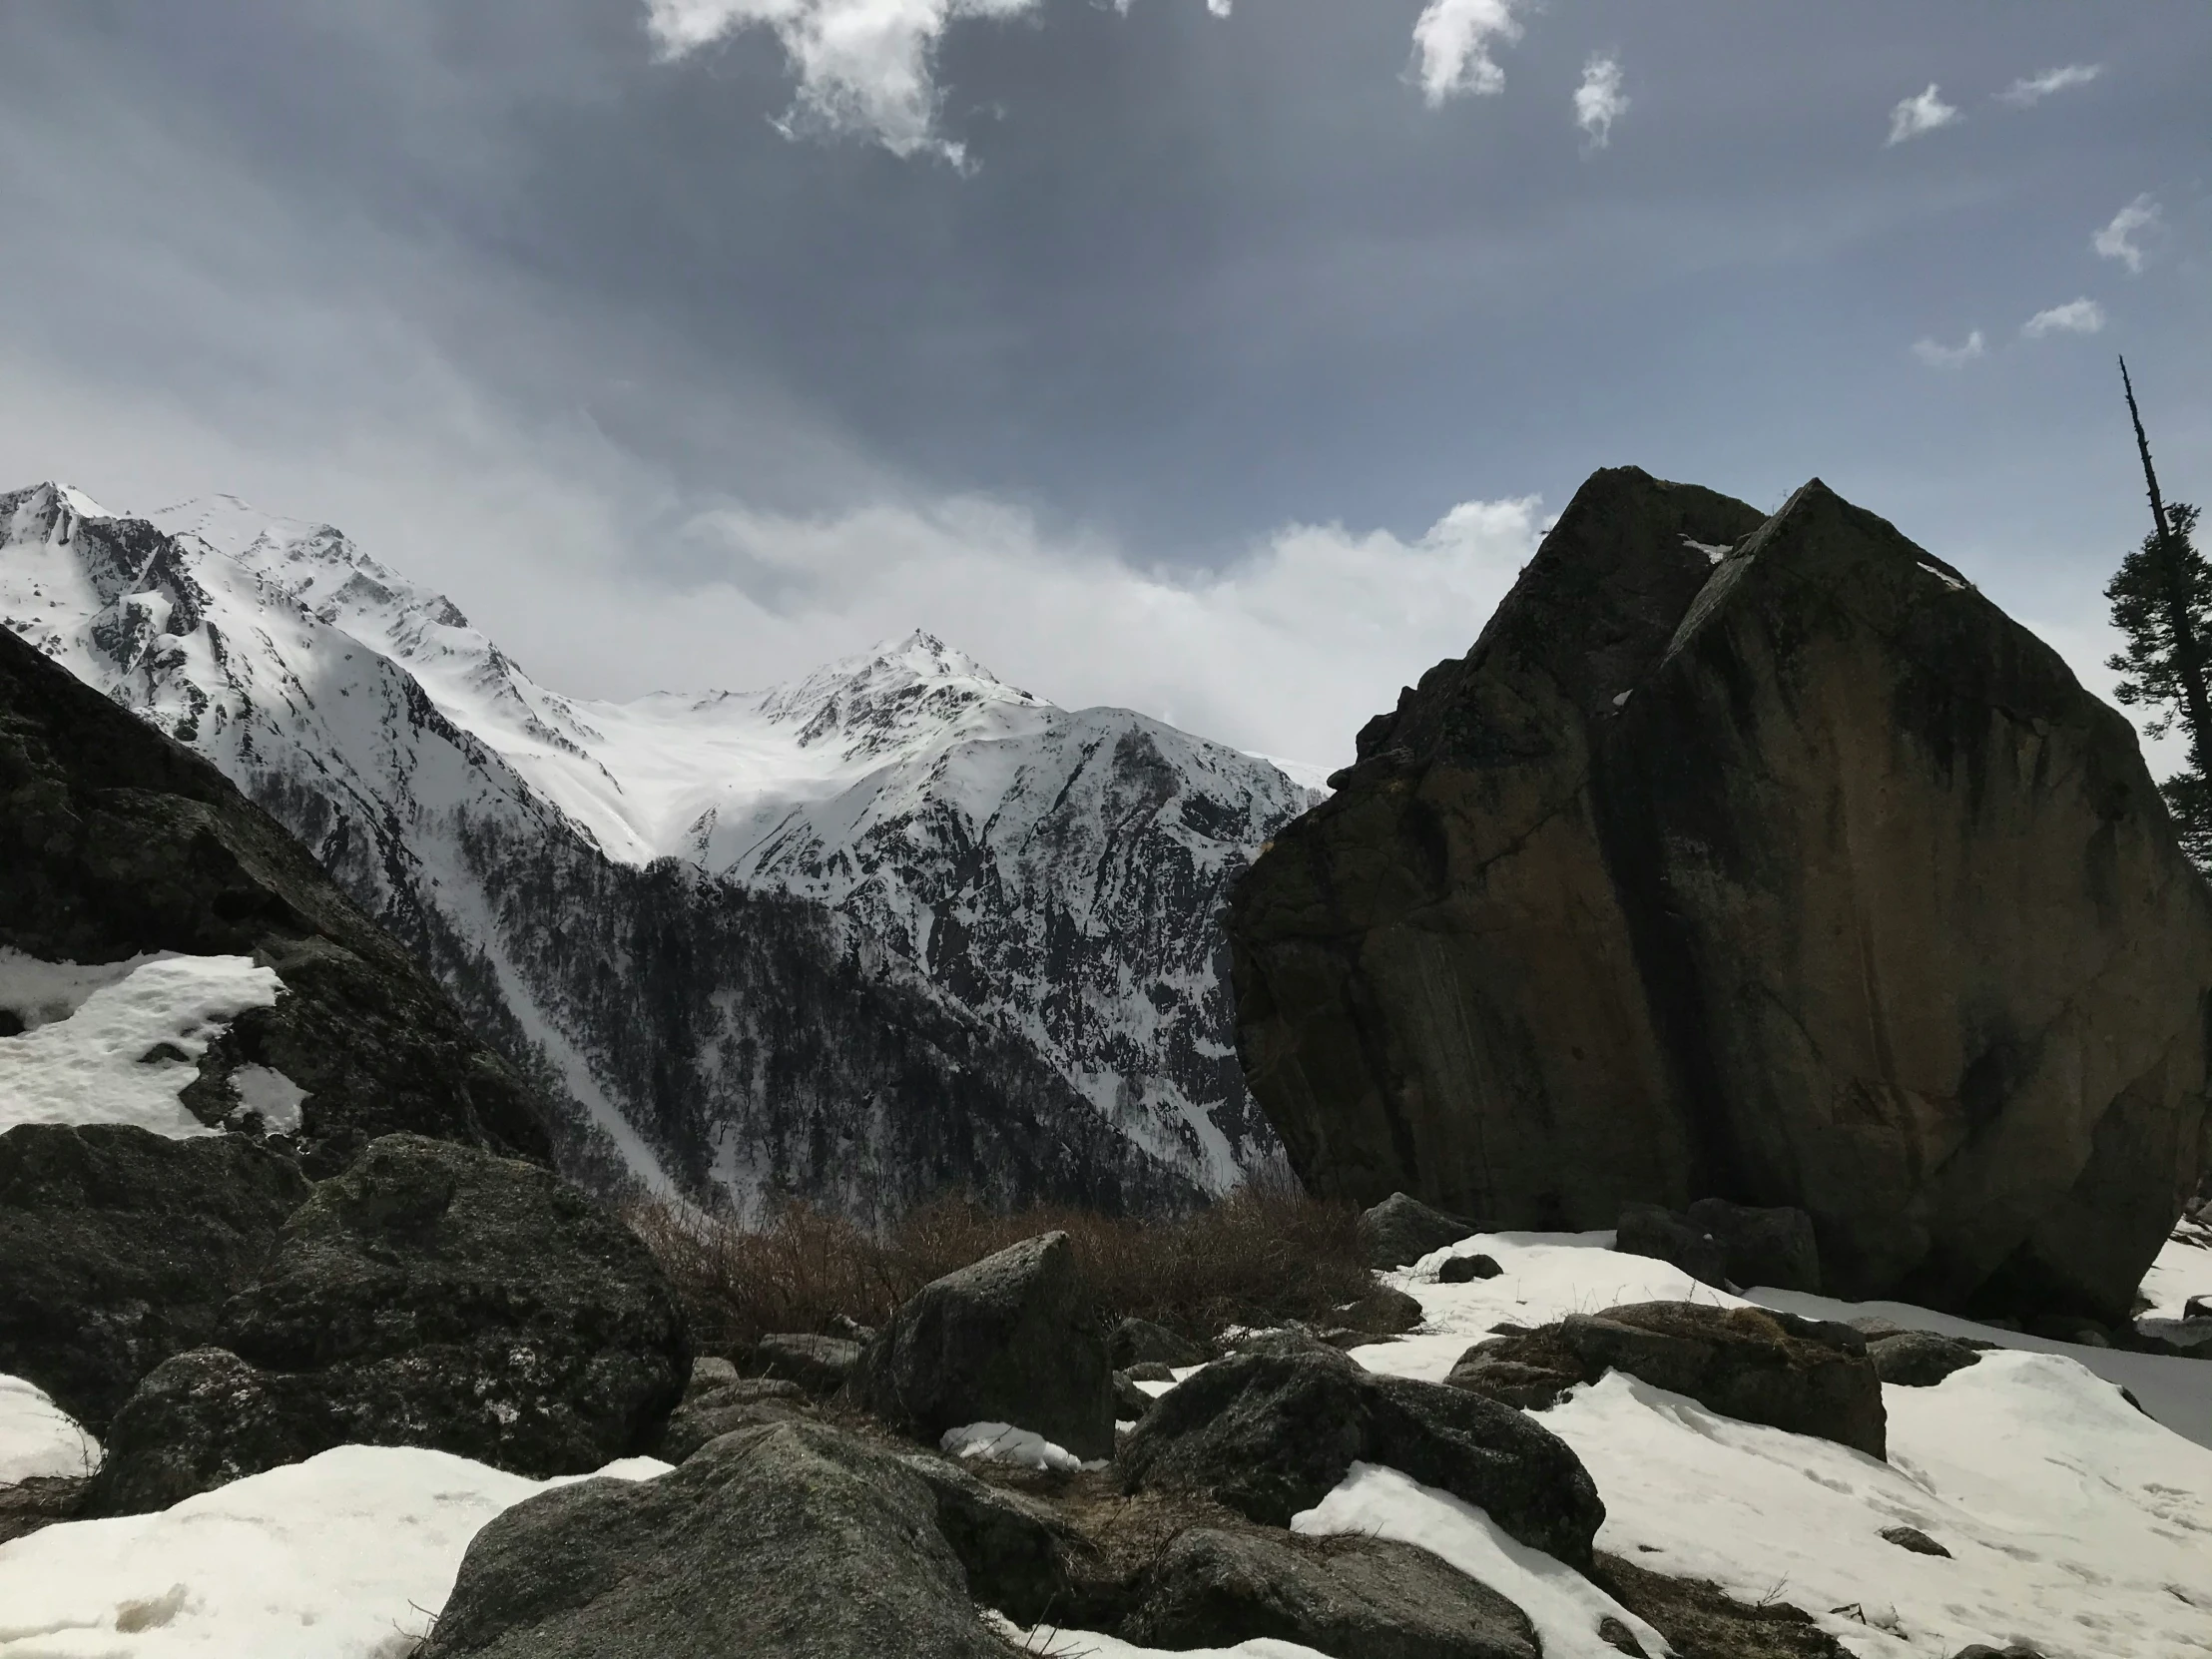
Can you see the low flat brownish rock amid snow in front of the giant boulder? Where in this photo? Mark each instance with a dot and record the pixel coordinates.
(1799, 1375)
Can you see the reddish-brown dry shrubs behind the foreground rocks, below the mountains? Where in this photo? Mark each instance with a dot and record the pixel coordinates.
(1258, 1258)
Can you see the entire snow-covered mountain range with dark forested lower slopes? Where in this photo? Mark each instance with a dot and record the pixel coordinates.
(724, 926)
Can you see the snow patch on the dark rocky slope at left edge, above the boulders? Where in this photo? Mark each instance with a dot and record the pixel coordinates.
(114, 1045)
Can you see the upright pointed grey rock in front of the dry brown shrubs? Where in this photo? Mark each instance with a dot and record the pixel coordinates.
(1008, 1339)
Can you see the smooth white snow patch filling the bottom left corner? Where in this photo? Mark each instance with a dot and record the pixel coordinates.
(346, 1556)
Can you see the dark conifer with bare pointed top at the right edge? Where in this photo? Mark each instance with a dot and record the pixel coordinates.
(2162, 603)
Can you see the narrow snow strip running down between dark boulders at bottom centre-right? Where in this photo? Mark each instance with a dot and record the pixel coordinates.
(1563, 1605)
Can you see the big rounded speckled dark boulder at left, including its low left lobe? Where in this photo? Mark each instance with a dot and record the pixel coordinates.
(435, 1297)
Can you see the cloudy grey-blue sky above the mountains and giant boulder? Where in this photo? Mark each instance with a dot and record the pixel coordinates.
(1220, 359)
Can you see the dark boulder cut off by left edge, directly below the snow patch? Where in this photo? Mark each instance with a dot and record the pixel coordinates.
(121, 1249)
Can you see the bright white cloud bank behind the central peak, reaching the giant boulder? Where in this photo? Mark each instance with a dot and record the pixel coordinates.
(1286, 651)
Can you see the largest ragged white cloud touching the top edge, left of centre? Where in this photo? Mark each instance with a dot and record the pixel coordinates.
(864, 65)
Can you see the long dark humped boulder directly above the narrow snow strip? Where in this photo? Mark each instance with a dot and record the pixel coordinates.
(1275, 1434)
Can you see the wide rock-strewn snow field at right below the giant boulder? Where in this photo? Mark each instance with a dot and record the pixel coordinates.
(2076, 1523)
